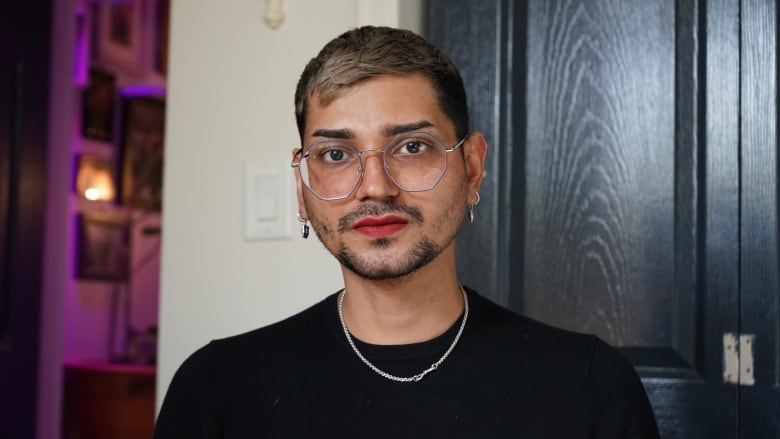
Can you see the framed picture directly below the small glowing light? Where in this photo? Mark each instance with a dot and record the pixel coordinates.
(104, 243)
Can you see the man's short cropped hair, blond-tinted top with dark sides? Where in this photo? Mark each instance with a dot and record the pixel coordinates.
(370, 51)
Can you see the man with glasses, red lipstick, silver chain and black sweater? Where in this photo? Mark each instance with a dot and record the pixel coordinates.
(386, 175)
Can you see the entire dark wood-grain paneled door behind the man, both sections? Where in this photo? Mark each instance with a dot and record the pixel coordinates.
(631, 186)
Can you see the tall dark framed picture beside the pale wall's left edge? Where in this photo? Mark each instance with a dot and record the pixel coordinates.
(142, 152)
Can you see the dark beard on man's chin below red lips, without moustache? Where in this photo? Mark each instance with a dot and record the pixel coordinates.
(423, 252)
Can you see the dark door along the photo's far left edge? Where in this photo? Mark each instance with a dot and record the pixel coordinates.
(24, 84)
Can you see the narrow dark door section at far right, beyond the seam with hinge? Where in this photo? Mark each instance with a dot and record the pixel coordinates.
(758, 261)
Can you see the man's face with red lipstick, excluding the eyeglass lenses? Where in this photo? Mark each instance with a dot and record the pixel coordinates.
(381, 232)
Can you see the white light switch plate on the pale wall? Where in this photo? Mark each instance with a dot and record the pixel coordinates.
(267, 200)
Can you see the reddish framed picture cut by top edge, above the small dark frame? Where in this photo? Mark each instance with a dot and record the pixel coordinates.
(118, 35)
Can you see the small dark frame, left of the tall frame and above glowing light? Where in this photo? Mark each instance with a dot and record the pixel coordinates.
(98, 106)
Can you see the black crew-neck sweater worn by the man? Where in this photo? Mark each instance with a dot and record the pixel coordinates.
(508, 377)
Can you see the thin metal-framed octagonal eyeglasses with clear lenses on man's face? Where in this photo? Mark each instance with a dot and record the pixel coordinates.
(333, 169)
